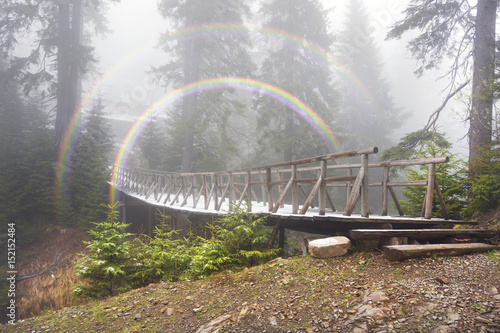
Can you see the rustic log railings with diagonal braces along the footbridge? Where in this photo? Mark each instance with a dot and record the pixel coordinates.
(296, 182)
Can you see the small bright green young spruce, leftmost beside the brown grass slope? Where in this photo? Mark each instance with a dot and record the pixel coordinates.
(109, 263)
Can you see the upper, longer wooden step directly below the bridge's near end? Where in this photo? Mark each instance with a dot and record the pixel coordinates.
(361, 234)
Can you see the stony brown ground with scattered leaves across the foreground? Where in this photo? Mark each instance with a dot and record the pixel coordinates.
(359, 292)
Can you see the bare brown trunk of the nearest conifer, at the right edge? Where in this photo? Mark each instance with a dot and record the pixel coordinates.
(482, 93)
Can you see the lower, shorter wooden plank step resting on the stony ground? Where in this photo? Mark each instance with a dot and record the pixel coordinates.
(402, 252)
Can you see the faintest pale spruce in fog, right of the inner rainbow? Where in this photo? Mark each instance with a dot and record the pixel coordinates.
(368, 119)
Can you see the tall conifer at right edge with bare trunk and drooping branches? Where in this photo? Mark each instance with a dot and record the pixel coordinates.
(464, 32)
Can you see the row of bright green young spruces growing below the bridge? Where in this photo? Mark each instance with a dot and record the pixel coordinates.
(118, 261)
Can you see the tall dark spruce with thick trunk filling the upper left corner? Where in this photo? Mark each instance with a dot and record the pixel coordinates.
(58, 57)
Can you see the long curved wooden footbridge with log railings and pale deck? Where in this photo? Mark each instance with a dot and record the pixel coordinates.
(324, 194)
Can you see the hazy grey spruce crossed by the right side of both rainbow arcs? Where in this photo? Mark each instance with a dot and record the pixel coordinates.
(297, 72)
